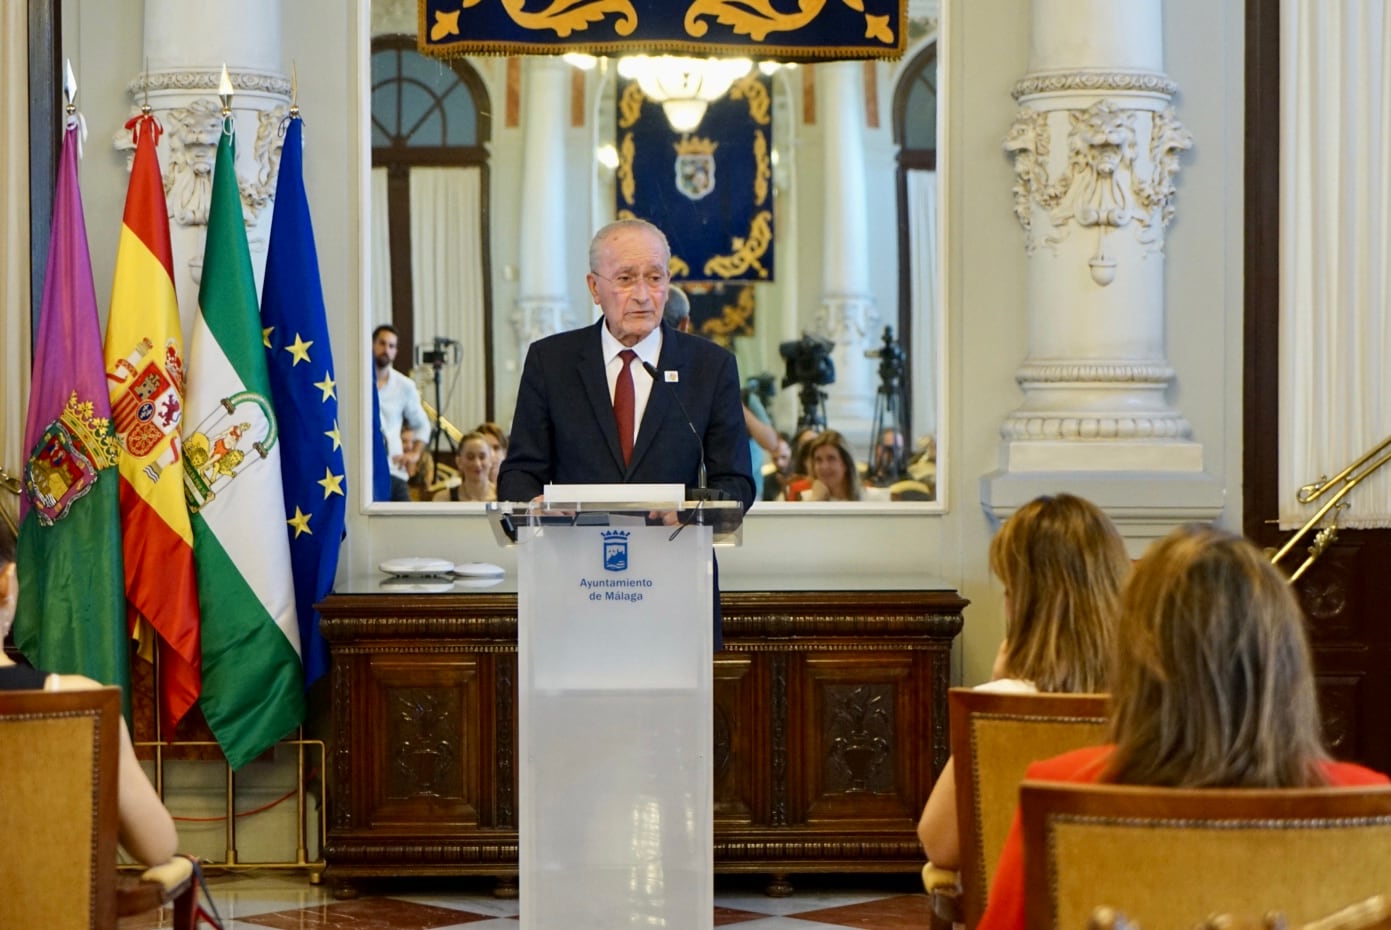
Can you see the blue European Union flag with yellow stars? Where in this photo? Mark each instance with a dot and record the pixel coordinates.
(307, 401)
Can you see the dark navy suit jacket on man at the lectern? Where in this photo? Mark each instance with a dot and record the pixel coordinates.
(564, 429)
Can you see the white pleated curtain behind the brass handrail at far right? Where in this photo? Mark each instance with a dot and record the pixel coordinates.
(1335, 250)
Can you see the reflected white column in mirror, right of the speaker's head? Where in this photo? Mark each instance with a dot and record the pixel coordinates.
(848, 313)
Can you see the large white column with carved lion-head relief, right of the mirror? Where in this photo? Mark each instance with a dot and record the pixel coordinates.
(1097, 151)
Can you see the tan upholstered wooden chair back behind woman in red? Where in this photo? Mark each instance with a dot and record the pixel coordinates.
(1172, 857)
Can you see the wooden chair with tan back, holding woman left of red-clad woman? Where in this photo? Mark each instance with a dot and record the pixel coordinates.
(994, 740)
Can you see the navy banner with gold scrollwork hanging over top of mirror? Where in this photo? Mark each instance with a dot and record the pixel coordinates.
(782, 30)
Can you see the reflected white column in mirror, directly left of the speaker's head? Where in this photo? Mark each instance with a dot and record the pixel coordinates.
(542, 308)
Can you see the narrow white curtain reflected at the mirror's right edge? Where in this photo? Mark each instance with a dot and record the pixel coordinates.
(924, 277)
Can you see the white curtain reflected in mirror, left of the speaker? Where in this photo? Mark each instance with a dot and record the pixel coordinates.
(447, 283)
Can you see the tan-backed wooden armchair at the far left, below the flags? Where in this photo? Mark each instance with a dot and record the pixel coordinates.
(59, 764)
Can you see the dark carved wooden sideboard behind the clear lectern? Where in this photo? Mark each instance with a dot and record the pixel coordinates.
(831, 726)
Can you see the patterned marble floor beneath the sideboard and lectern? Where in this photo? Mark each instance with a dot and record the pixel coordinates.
(287, 902)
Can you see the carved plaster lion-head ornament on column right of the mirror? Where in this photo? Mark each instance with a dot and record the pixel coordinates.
(1105, 187)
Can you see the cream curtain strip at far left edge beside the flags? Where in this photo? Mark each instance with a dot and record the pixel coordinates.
(15, 237)
